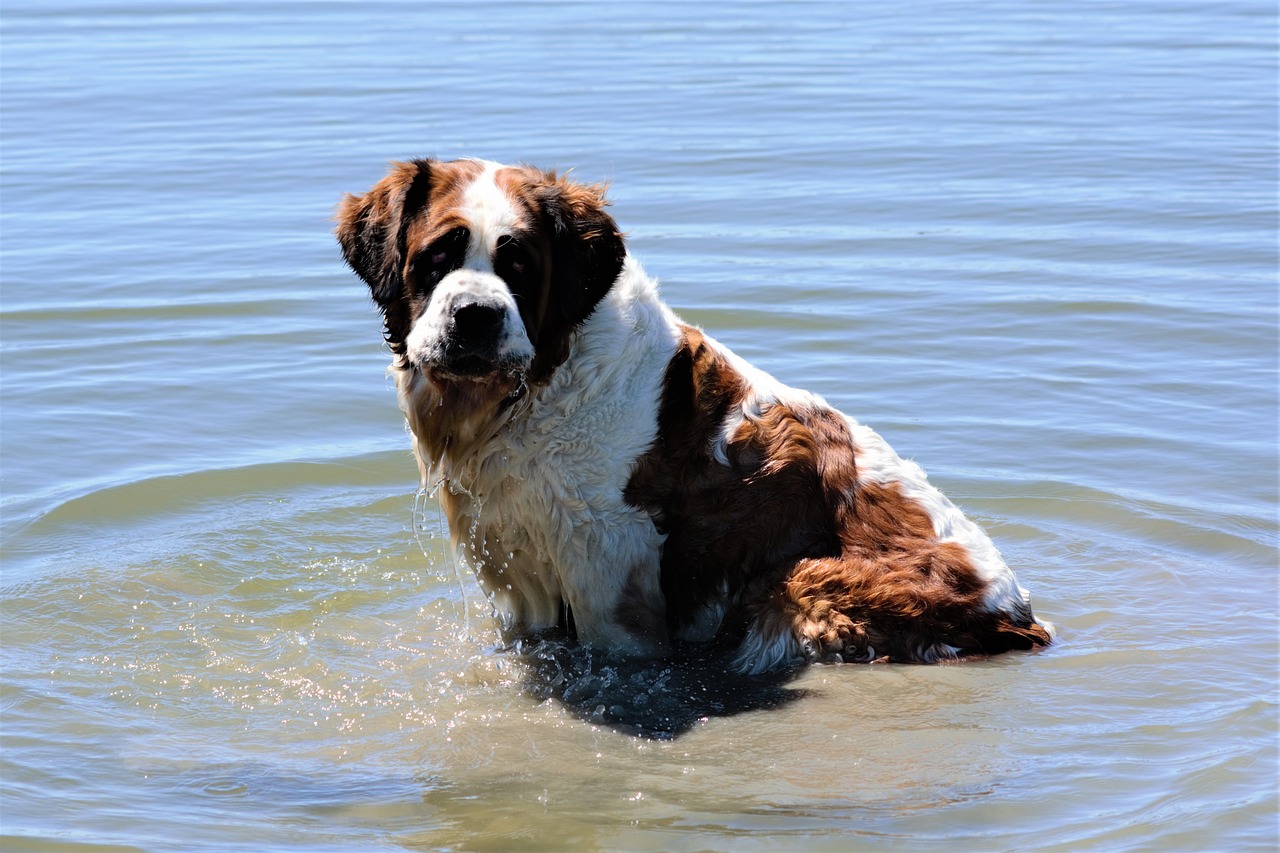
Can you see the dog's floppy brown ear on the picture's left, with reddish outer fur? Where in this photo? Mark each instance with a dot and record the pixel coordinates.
(372, 227)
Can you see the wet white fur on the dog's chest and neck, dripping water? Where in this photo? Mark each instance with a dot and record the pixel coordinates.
(540, 509)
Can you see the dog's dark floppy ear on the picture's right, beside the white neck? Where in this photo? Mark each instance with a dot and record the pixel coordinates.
(587, 247)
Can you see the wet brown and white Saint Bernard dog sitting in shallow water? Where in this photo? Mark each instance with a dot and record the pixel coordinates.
(614, 472)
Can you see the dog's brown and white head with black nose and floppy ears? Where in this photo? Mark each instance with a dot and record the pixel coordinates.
(482, 272)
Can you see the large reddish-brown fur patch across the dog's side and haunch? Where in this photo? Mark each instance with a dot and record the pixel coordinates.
(852, 571)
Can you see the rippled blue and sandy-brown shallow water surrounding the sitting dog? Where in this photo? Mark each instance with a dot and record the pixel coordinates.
(1034, 245)
